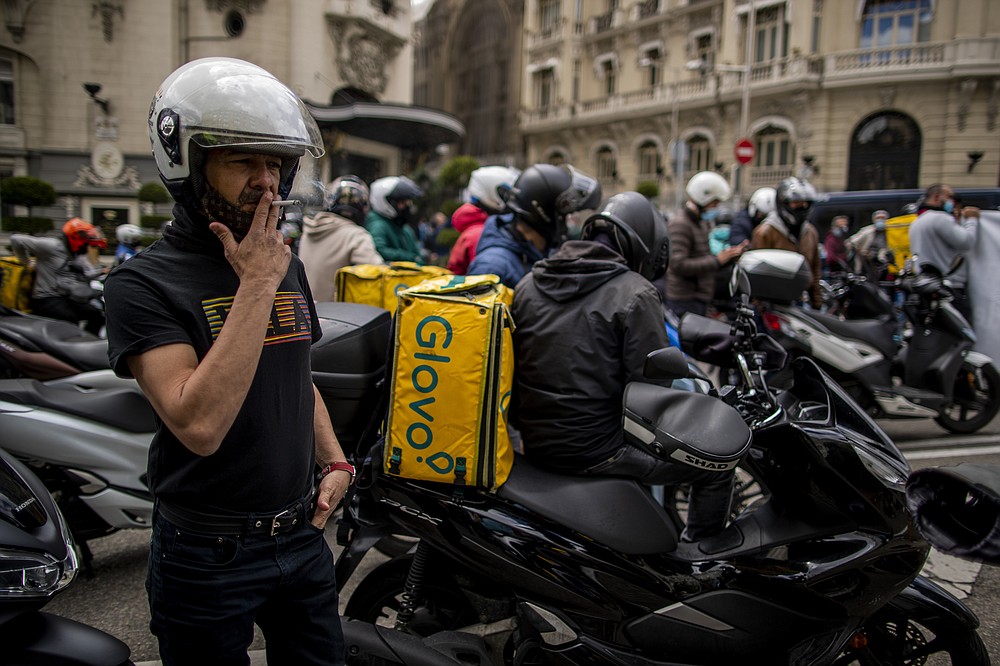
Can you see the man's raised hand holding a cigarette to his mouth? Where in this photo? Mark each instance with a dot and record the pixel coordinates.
(262, 256)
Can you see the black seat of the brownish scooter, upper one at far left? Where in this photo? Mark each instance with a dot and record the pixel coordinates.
(61, 339)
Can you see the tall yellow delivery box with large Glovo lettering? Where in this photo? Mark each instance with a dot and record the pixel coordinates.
(453, 369)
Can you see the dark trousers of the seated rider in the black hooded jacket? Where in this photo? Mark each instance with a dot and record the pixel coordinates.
(711, 492)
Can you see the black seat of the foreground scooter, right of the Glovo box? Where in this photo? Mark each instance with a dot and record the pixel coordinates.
(618, 513)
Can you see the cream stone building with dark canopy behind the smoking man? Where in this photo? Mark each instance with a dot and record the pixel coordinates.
(76, 80)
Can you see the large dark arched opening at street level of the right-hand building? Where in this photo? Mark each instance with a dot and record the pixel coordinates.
(885, 153)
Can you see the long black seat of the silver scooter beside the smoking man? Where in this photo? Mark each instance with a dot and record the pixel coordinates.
(125, 408)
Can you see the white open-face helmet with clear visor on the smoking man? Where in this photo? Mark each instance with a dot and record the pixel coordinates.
(225, 102)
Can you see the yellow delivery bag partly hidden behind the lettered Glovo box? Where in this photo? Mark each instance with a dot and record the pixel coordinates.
(378, 284)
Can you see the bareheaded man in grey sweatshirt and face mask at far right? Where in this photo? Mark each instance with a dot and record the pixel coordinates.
(941, 234)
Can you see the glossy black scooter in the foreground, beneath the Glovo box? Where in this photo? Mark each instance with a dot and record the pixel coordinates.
(560, 569)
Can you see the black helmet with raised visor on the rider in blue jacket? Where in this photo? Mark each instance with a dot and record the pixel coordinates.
(544, 194)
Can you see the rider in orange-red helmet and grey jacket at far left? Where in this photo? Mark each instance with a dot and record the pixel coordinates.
(64, 268)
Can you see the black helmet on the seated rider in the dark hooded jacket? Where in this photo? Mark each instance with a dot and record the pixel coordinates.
(637, 228)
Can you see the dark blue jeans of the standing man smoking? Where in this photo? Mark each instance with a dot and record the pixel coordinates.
(207, 591)
